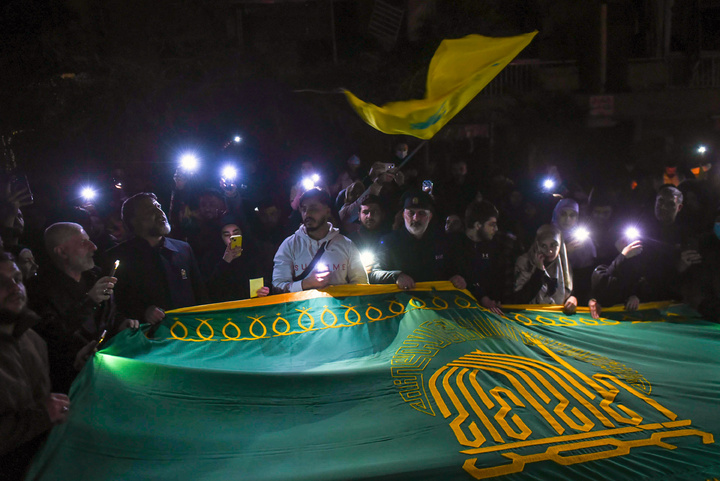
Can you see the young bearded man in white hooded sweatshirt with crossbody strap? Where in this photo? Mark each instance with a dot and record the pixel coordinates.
(316, 255)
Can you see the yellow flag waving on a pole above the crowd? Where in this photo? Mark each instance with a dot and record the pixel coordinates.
(459, 70)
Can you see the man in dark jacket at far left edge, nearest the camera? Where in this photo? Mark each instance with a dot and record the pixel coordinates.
(27, 407)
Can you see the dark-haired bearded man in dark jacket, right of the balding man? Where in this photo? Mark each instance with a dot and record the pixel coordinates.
(156, 273)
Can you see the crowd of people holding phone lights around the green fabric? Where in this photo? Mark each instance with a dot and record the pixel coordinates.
(91, 273)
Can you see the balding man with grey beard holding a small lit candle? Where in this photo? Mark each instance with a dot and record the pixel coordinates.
(74, 300)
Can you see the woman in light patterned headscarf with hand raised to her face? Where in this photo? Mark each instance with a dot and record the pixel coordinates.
(543, 275)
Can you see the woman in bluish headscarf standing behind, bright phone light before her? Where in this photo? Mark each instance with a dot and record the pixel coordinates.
(581, 251)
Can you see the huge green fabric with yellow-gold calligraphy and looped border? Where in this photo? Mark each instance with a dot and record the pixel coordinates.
(396, 385)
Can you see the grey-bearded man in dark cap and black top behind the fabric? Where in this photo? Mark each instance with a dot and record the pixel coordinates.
(412, 253)
